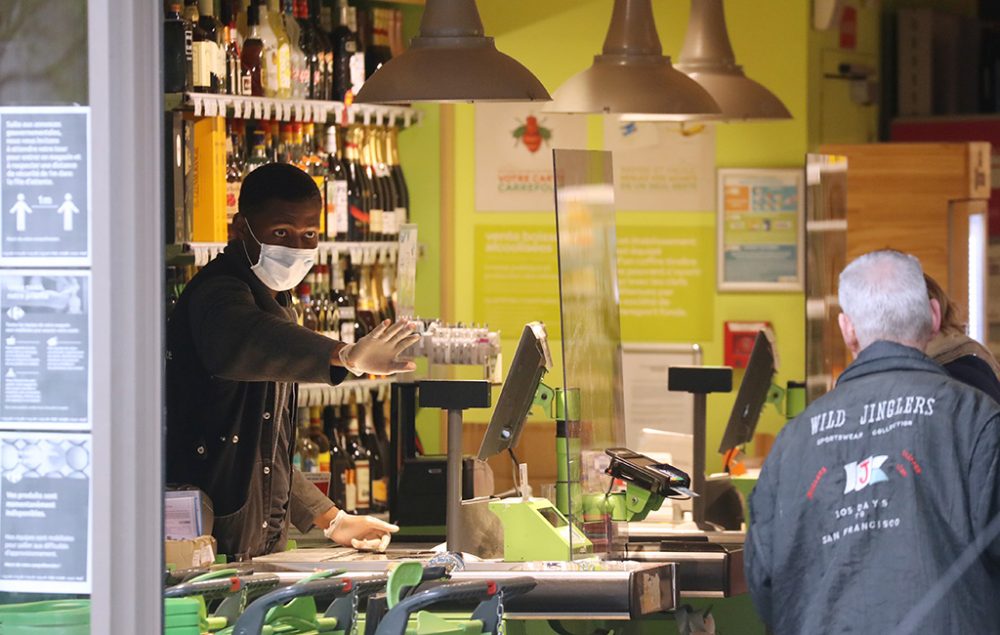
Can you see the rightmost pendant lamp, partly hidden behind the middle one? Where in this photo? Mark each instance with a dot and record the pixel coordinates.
(707, 57)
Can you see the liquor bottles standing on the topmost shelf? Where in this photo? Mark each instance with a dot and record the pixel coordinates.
(309, 49)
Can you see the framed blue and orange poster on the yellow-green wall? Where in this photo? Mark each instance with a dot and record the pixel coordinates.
(760, 230)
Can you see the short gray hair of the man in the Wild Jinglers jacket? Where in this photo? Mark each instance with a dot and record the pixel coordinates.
(885, 296)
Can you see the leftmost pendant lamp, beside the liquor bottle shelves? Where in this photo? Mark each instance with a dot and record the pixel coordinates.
(451, 61)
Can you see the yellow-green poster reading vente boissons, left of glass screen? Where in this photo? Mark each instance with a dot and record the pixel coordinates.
(516, 279)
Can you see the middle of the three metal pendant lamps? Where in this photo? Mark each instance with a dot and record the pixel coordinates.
(632, 77)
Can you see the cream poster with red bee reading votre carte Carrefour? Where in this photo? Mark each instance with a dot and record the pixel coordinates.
(514, 144)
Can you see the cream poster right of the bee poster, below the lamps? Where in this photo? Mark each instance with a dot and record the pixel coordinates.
(661, 166)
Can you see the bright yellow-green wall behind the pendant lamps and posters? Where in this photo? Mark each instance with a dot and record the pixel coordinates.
(558, 38)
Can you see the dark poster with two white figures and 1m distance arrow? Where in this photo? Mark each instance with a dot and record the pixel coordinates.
(45, 188)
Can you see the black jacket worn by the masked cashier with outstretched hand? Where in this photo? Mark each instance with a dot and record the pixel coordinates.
(228, 341)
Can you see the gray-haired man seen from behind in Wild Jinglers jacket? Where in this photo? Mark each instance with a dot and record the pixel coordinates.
(878, 509)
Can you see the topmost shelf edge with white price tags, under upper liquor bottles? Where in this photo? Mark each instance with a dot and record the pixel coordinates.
(308, 110)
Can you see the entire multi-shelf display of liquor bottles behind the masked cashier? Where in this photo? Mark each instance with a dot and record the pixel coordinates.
(286, 49)
